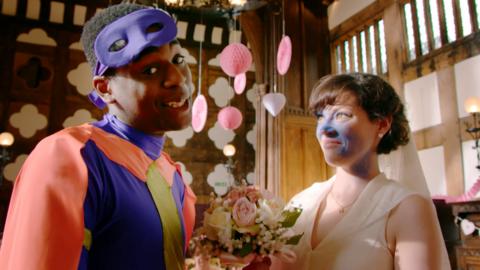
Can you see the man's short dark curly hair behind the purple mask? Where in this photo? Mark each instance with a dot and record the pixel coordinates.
(96, 24)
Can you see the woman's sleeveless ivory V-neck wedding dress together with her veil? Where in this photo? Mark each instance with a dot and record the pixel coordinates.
(358, 241)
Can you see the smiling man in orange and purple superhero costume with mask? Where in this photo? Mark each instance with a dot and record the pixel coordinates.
(104, 195)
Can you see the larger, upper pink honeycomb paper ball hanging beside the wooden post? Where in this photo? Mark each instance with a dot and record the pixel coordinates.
(235, 59)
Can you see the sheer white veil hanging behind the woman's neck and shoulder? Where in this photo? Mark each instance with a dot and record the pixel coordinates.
(403, 166)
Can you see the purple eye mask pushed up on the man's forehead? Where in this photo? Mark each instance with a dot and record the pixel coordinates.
(123, 40)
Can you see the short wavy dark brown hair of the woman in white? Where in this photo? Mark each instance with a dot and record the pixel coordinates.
(377, 98)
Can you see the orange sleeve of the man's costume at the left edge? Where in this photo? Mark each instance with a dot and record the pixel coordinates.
(45, 223)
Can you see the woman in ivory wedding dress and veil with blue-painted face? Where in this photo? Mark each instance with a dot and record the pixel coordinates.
(359, 219)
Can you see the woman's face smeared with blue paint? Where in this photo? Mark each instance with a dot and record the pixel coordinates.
(345, 133)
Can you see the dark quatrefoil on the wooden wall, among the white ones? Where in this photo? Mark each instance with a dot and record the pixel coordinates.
(33, 72)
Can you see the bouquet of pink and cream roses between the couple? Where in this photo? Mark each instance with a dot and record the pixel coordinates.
(245, 224)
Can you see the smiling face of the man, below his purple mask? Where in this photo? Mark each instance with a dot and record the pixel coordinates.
(154, 93)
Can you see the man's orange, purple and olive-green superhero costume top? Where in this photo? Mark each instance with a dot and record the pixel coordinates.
(94, 206)
